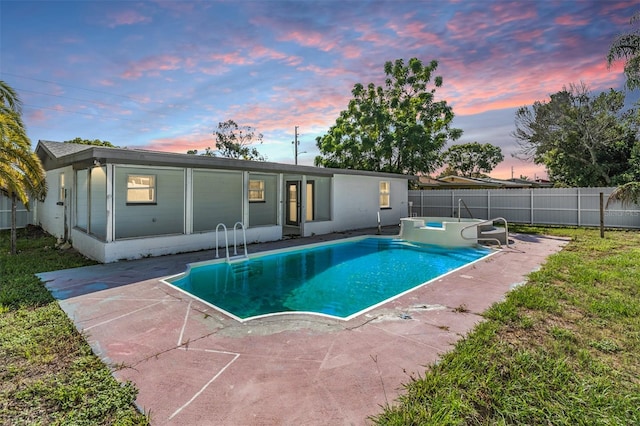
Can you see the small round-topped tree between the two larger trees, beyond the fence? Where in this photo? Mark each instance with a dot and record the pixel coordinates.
(472, 159)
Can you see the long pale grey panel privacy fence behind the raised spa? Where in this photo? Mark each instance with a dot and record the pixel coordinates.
(536, 206)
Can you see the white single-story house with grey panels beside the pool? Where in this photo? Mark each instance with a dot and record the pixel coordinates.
(117, 203)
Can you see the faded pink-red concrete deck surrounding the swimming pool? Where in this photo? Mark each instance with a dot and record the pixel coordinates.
(194, 366)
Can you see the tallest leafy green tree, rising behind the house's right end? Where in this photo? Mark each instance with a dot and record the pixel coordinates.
(400, 127)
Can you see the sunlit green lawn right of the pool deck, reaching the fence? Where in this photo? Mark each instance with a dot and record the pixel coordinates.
(564, 349)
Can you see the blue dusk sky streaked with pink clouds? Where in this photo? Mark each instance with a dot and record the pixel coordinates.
(161, 75)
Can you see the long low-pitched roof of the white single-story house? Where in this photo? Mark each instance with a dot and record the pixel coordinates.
(54, 155)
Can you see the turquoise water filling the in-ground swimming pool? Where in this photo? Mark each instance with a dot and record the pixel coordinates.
(339, 279)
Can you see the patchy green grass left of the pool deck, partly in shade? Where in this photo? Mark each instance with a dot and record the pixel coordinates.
(48, 374)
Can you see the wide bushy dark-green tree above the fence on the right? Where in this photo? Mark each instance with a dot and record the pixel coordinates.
(583, 139)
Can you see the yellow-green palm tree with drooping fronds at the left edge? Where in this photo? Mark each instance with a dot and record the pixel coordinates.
(21, 173)
